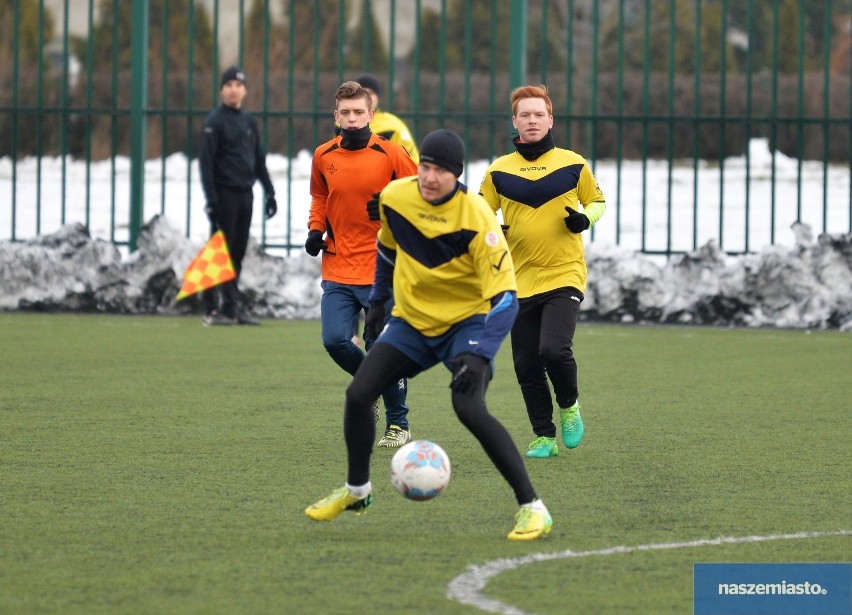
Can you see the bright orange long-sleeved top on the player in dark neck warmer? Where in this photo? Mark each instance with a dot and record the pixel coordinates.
(342, 181)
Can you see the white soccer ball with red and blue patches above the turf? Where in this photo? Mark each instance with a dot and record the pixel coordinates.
(420, 470)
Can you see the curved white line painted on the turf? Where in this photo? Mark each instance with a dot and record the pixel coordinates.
(467, 587)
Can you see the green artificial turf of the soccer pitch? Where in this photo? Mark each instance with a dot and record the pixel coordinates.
(151, 465)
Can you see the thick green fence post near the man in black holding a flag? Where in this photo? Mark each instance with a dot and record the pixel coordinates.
(138, 104)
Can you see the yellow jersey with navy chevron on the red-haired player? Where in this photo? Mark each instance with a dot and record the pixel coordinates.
(533, 195)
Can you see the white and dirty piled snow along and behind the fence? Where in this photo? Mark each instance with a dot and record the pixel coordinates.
(63, 259)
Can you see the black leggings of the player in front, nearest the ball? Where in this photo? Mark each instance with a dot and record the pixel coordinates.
(385, 364)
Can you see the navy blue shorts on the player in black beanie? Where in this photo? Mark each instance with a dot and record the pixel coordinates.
(428, 351)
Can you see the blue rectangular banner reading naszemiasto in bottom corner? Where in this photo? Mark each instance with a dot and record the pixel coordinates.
(772, 589)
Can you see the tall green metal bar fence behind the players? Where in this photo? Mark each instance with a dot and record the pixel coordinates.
(703, 120)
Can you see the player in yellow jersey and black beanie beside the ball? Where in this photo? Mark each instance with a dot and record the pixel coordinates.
(443, 256)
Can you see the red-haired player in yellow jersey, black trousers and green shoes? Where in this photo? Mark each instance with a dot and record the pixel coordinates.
(535, 187)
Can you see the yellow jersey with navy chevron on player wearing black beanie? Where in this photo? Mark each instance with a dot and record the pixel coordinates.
(451, 258)
